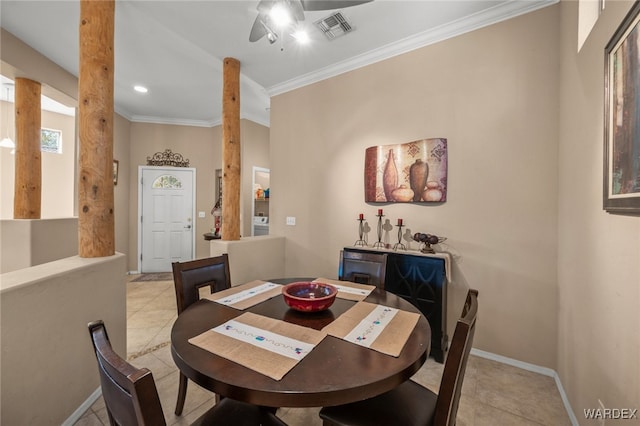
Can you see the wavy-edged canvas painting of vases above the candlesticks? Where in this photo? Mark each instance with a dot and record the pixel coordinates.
(414, 172)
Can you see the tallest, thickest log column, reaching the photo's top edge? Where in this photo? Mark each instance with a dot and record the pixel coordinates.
(96, 233)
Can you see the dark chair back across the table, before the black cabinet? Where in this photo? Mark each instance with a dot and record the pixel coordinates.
(363, 268)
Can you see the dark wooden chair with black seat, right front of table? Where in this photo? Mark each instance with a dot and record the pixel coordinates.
(410, 403)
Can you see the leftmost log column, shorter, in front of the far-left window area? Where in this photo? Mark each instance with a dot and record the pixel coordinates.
(28, 175)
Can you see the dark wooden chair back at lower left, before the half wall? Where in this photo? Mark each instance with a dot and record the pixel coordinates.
(129, 393)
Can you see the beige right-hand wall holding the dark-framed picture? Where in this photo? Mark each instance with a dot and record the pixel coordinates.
(599, 253)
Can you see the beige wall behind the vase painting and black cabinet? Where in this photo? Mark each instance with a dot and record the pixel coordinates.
(493, 94)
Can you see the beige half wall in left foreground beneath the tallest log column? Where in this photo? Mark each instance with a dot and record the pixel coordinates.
(44, 314)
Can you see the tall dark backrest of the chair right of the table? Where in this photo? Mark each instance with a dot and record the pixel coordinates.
(456, 363)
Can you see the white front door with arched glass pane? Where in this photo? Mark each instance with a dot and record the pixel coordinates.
(166, 211)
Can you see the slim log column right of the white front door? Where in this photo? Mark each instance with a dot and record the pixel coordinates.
(231, 150)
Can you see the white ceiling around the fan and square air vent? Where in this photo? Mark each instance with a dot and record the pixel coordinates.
(176, 48)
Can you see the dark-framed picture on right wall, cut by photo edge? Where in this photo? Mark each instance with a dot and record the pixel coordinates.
(621, 189)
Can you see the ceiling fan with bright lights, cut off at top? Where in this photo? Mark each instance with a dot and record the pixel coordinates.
(273, 14)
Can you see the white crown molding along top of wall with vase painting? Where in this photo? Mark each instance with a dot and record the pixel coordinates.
(473, 22)
